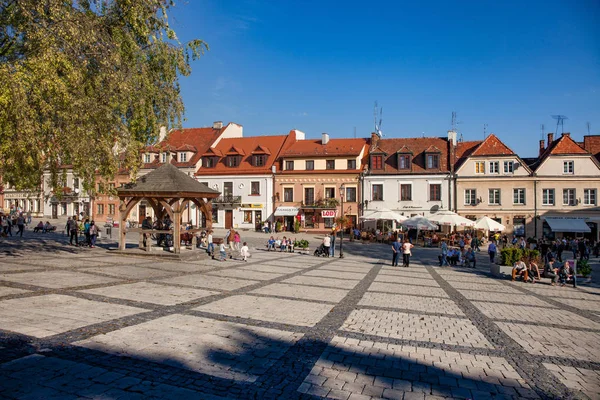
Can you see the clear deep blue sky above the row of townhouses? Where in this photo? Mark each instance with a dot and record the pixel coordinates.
(319, 66)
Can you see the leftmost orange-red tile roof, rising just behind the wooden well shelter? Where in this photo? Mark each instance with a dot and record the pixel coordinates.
(196, 140)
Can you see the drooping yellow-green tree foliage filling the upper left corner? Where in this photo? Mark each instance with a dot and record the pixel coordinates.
(86, 83)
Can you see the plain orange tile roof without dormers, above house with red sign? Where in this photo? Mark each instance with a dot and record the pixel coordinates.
(314, 148)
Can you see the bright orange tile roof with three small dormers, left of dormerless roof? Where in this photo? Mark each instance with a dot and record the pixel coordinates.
(245, 147)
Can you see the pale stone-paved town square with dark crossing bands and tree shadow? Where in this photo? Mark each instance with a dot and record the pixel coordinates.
(87, 324)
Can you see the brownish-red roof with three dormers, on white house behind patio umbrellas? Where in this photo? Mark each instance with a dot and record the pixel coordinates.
(417, 147)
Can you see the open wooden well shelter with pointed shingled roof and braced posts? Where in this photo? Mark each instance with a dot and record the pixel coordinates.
(167, 190)
